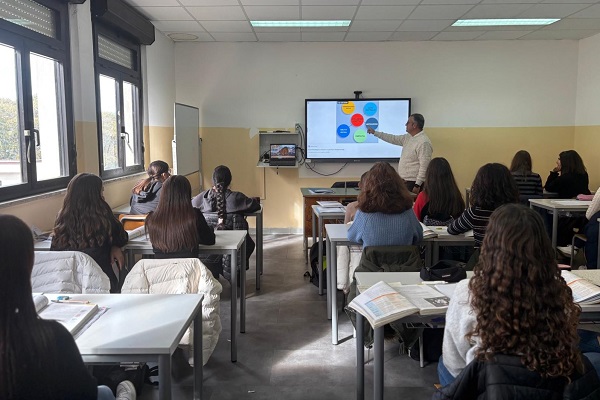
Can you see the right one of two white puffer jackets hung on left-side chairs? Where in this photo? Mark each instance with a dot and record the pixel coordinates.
(180, 276)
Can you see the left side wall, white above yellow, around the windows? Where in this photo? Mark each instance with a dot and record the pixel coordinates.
(159, 96)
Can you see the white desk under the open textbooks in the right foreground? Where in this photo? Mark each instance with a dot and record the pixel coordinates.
(589, 313)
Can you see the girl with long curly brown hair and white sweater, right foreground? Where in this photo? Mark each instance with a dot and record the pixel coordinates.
(516, 320)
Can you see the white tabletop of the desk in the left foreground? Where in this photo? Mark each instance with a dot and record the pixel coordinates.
(138, 323)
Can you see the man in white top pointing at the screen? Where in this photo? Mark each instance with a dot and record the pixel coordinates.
(416, 151)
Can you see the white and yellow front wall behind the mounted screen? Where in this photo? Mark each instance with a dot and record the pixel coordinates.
(482, 102)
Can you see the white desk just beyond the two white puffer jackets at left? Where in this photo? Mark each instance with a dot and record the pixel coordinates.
(227, 242)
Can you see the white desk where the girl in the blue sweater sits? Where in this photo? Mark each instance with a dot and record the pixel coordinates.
(337, 235)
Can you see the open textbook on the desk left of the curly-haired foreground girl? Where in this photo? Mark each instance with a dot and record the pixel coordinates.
(383, 302)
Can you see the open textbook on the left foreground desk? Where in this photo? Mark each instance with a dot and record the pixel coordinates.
(72, 315)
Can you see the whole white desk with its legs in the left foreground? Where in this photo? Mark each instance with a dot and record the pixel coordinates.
(144, 328)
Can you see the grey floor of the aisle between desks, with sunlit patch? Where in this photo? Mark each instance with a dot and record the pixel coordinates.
(286, 352)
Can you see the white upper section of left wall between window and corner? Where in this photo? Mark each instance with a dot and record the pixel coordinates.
(159, 82)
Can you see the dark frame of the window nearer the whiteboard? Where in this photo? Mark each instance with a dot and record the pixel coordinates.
(120, 74)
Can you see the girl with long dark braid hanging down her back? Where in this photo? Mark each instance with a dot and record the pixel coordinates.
(222, 208)
